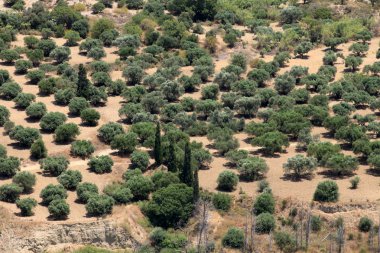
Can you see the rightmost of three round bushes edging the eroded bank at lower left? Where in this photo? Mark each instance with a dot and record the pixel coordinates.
(99, 205)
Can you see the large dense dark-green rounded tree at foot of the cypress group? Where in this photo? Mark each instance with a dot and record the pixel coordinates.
(171, 206)
